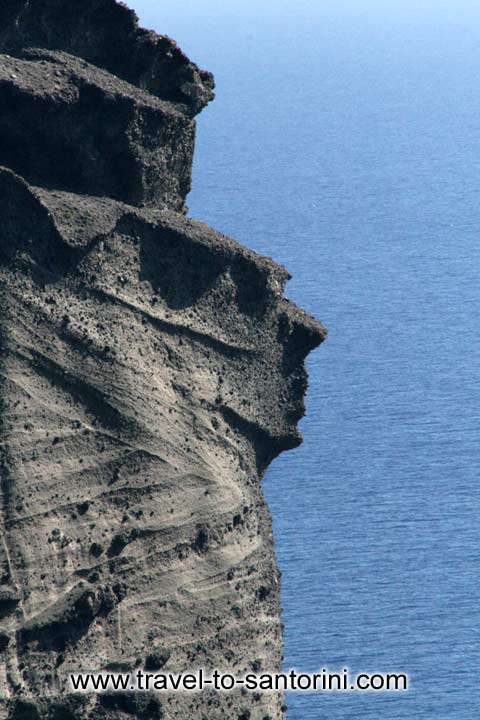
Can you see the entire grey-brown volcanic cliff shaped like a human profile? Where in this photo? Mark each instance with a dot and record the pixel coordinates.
(151, 369)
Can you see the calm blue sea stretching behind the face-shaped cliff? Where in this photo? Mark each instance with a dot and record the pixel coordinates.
(345, 143)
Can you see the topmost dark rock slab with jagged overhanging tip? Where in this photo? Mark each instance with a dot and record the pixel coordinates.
(106, 33)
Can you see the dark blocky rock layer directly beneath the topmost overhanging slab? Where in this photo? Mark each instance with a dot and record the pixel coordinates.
(66, 124)
